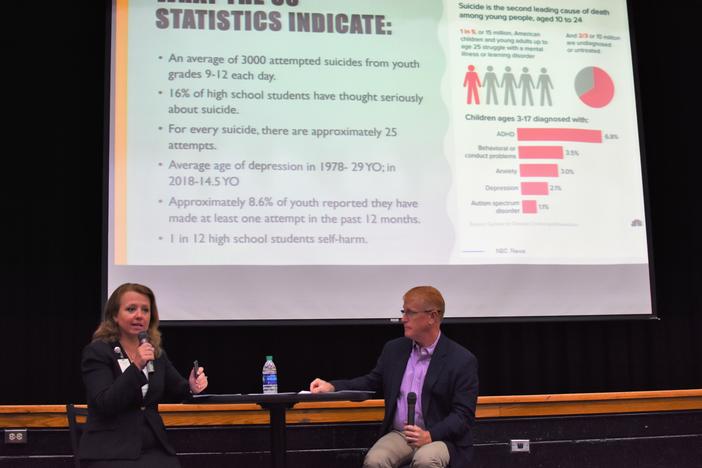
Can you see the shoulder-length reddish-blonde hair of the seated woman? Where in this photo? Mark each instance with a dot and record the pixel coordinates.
(108, 330)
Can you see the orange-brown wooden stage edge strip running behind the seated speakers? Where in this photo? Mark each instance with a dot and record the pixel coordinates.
(54, 416)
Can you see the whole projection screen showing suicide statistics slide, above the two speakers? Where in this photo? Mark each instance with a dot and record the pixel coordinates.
(309, 159)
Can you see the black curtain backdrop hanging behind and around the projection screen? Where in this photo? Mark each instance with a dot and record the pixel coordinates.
(55, 221)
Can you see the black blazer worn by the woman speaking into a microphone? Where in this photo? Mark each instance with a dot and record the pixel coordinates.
(116, 408)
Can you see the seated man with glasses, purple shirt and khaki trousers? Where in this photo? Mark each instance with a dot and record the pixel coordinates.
(440, 372)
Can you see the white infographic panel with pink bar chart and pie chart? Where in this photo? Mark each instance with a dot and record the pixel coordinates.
(544, 137)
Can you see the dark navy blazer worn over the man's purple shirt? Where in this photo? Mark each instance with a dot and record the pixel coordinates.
(449, 394)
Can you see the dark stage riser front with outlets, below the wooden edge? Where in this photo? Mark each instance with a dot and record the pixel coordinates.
(670, 439)
